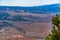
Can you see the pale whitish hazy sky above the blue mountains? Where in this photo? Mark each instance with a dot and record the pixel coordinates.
(27, 2)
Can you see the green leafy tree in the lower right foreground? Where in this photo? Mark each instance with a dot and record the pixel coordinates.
(55, 33)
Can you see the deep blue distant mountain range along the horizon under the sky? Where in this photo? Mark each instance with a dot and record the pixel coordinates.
(53, 8)
